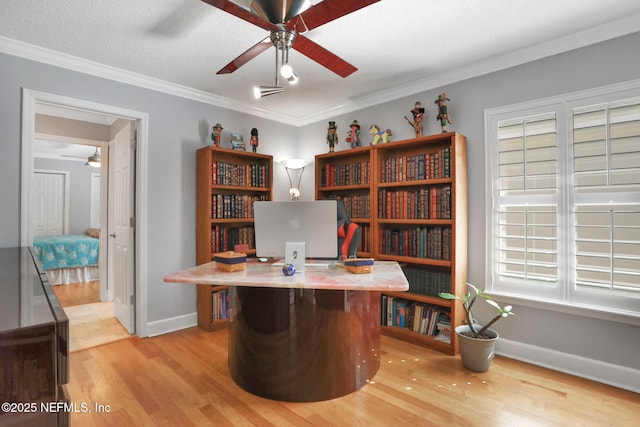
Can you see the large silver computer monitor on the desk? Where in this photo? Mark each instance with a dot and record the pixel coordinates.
(308, 228)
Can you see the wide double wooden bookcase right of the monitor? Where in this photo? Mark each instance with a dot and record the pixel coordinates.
(417, 195)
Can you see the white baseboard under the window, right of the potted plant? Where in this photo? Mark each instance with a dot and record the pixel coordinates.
(606, 373)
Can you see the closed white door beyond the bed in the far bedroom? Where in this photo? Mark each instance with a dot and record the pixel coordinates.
(50, 201)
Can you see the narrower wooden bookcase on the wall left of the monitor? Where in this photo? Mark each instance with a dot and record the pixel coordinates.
(228, 182)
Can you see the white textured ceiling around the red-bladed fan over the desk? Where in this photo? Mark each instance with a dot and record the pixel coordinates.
(400, 46)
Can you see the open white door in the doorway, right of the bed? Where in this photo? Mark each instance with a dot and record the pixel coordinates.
(121, 229)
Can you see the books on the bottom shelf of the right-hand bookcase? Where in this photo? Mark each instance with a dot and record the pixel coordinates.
(416, 316)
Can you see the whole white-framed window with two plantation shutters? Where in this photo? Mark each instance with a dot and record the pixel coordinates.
(564, 180)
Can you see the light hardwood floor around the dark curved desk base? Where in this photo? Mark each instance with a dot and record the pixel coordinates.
(182, 379)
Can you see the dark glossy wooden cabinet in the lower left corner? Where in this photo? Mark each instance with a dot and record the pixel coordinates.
(34, 345)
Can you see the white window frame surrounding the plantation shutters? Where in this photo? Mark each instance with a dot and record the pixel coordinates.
(565, 297)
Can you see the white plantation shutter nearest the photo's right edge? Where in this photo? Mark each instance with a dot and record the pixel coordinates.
(606, 154)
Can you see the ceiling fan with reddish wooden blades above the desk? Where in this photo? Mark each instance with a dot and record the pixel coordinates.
(286, 20)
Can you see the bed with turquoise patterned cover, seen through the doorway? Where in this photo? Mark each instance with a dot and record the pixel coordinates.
(69, 258)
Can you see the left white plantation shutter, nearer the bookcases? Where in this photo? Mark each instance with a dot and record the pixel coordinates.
(527, 240)
